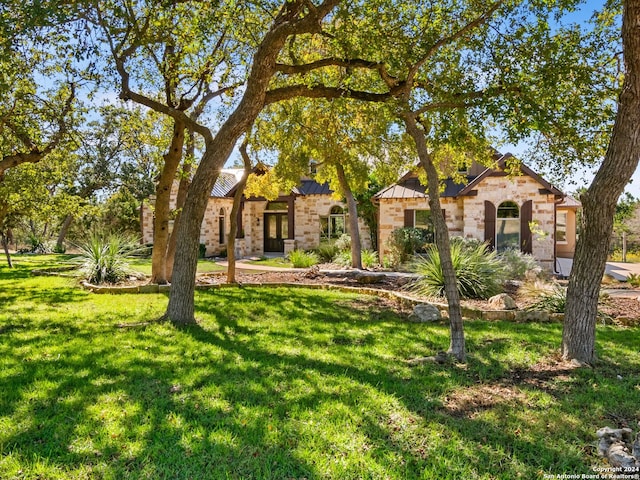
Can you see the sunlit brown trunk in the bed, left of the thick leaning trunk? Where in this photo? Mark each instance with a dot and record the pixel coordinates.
(163, 207)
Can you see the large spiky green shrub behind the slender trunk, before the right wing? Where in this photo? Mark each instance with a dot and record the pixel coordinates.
(479, 272)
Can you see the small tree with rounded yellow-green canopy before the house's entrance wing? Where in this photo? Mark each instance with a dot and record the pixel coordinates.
(342, 141)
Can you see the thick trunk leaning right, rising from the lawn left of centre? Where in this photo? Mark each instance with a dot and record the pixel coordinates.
(181, 305)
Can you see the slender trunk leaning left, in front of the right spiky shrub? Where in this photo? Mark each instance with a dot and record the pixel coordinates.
(456, 327)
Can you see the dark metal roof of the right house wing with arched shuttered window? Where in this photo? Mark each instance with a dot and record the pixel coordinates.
(409, 185)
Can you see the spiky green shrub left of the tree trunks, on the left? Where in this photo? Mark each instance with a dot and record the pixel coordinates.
(103, 258)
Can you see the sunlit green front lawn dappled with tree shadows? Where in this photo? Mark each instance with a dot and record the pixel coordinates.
(280, 383)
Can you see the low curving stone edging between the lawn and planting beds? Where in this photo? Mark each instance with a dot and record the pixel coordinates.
(404, 300)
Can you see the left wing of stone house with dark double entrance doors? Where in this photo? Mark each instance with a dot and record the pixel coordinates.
(300, 219)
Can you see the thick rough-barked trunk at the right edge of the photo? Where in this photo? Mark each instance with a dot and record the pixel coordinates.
(599, 203)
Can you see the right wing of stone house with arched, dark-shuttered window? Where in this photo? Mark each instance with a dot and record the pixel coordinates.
(519, 211)
